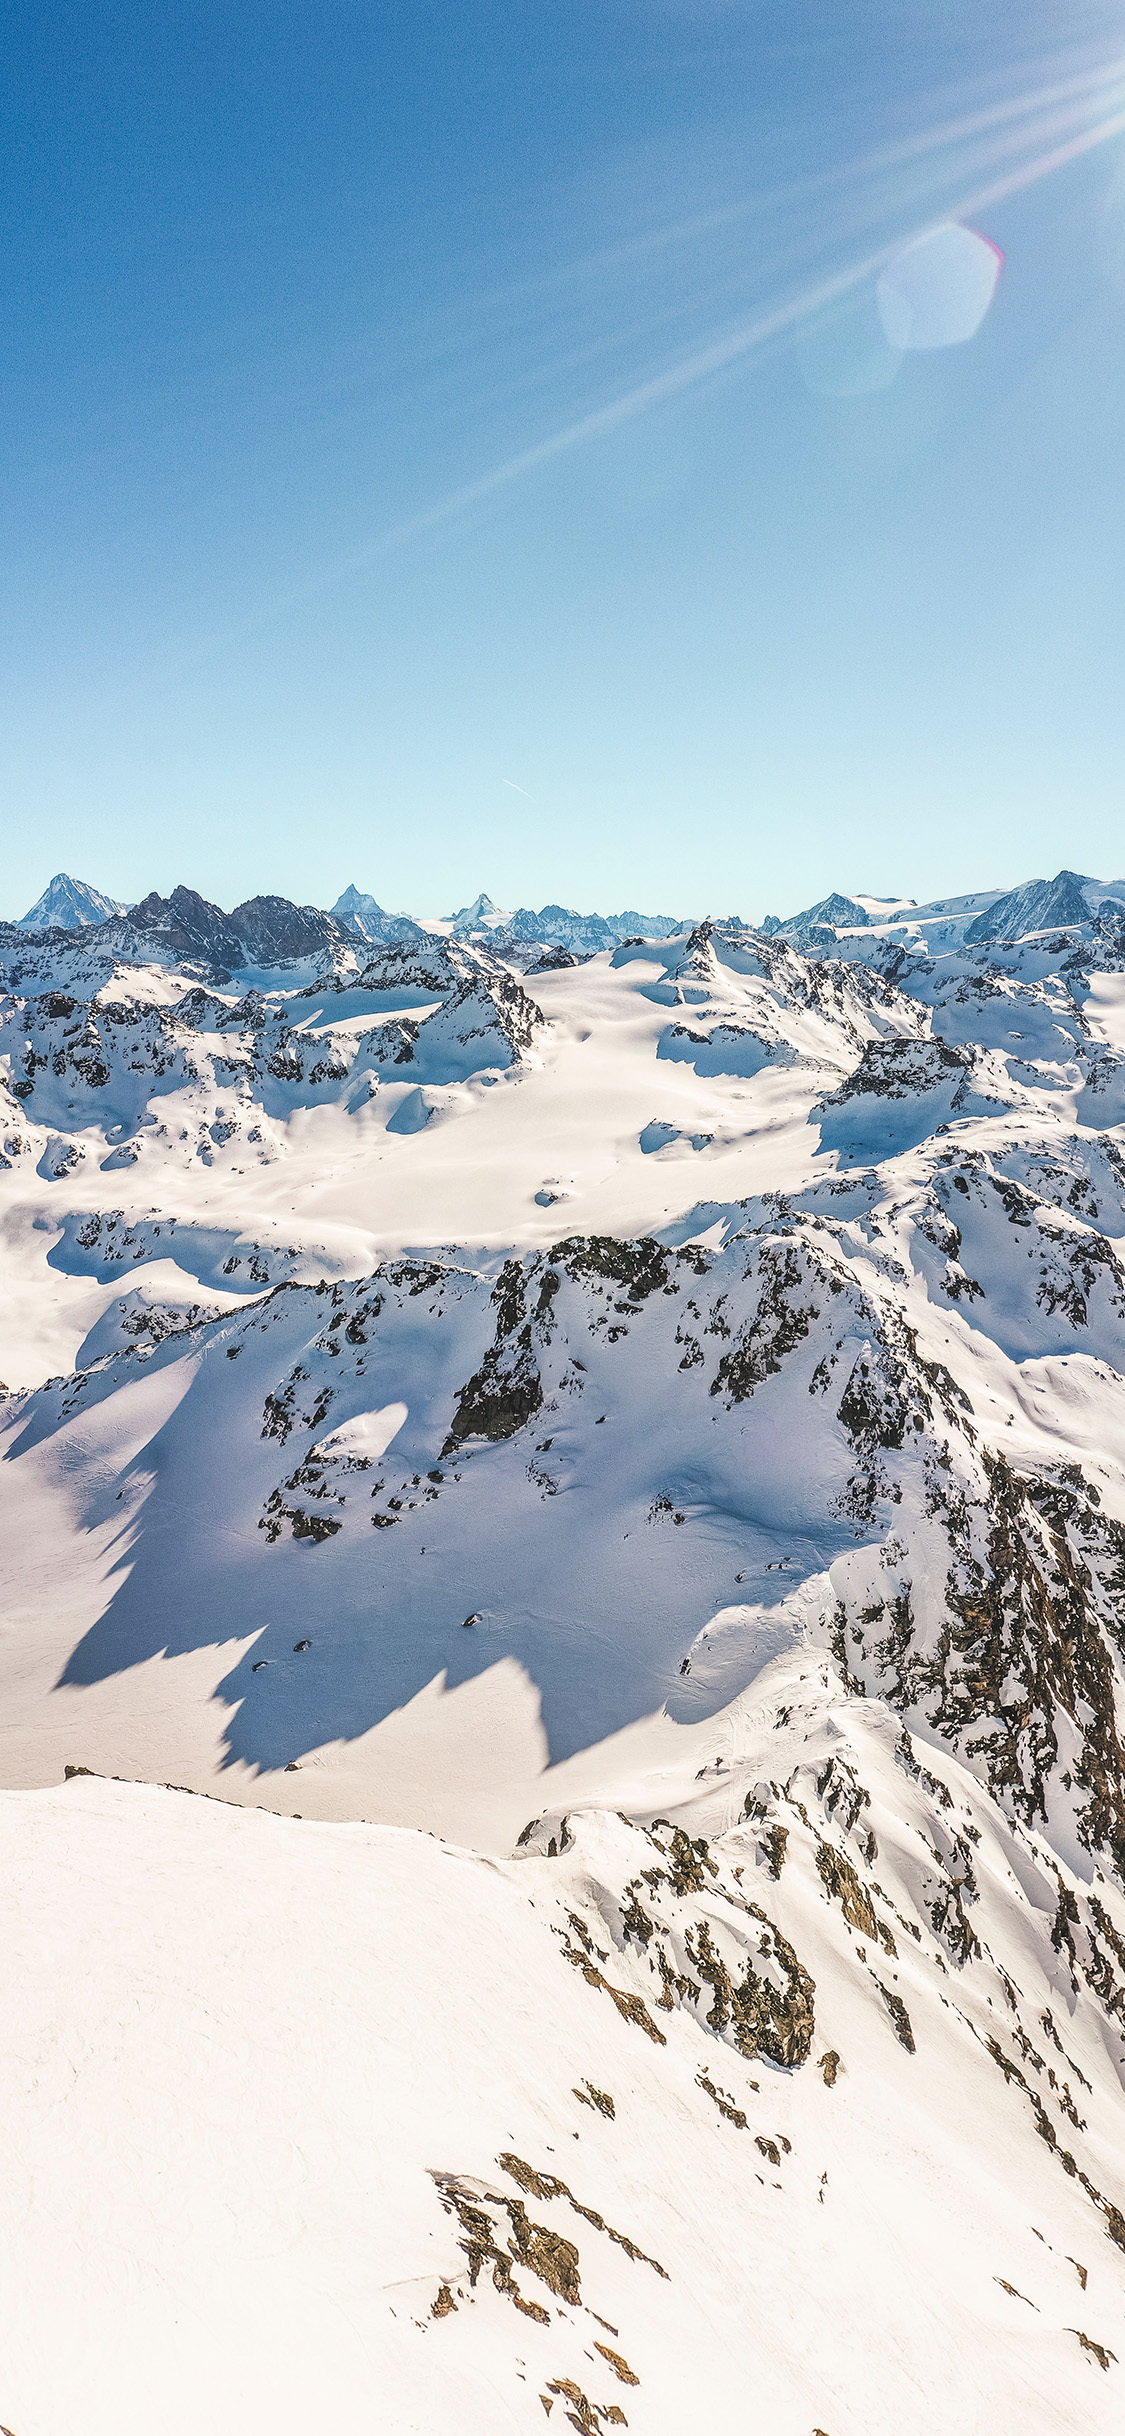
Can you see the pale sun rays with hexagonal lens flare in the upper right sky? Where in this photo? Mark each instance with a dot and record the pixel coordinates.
(853, 296)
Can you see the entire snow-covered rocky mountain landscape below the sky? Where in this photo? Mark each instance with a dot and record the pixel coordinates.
(564, 1670)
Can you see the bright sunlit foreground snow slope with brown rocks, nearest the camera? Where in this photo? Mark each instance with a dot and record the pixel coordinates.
(805, 2118)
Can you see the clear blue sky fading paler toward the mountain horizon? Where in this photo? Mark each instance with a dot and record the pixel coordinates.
(396, 488)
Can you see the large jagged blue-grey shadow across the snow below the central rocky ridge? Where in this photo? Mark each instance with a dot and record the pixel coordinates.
(595, 1604)
